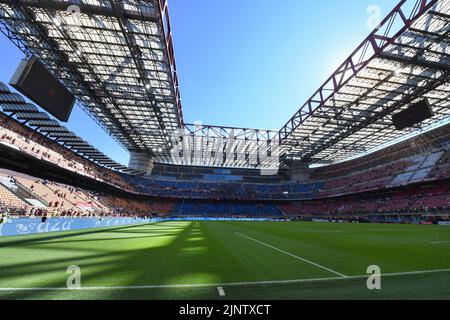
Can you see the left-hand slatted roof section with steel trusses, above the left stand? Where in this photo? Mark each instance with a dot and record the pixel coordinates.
(115, 56)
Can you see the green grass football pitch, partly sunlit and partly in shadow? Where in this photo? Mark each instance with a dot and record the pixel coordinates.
(249, 260)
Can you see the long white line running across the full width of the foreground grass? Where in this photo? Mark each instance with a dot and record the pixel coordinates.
(230, 284)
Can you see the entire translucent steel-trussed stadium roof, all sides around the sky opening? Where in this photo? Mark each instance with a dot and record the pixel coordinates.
(117, 58)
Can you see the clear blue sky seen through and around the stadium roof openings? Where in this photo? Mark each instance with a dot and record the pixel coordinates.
(249, 63)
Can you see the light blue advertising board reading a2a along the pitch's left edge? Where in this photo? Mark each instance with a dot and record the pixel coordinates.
(23, 226)
